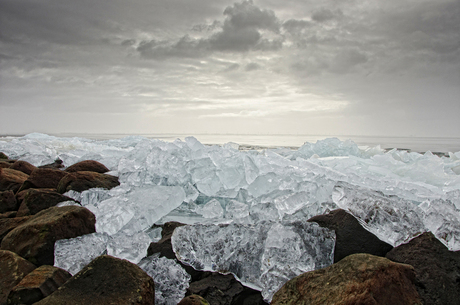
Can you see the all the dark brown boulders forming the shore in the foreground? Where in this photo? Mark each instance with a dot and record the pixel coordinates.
(365, 270)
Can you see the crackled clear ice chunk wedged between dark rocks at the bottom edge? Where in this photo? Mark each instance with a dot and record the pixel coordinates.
(171, 280)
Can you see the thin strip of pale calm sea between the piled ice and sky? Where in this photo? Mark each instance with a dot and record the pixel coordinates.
(417, 144)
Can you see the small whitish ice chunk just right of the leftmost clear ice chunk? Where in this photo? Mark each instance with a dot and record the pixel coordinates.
(132, 247)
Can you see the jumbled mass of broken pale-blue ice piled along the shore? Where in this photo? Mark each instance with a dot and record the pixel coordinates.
(222, 191)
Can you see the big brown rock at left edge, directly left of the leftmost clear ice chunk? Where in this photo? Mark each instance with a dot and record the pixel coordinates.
(34, 240)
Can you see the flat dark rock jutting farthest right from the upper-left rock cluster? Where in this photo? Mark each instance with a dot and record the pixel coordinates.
(82, 181)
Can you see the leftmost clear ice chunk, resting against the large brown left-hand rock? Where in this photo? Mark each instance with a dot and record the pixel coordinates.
(75, 253)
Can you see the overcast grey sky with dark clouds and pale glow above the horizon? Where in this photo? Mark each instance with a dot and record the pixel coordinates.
(329, 67)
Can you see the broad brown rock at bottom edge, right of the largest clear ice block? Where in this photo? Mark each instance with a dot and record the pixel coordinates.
(356, 279)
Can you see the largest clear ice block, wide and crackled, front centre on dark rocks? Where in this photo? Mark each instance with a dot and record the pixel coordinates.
(262, 256)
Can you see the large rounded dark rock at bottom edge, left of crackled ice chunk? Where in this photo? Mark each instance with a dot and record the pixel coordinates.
(106, 280)
